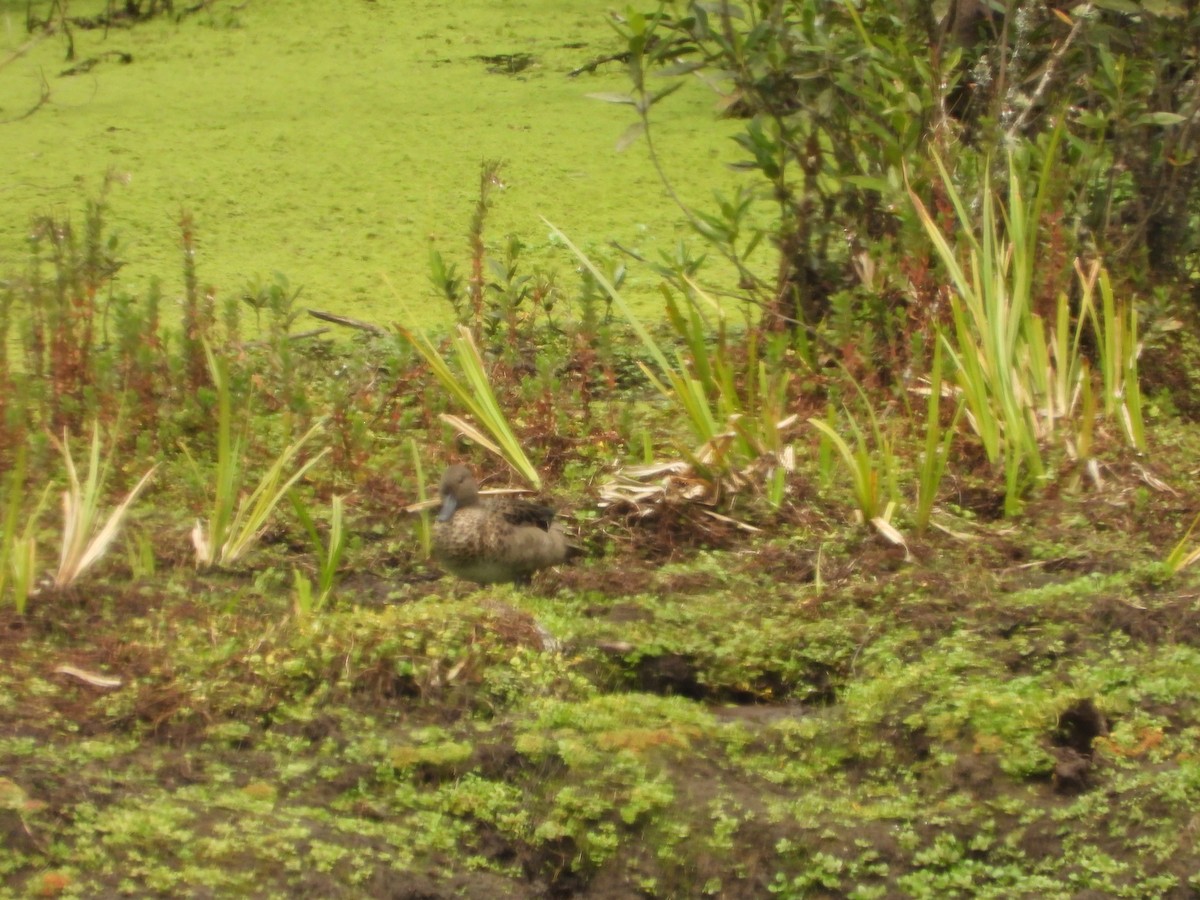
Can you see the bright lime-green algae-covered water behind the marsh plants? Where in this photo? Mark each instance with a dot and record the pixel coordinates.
(337, 143)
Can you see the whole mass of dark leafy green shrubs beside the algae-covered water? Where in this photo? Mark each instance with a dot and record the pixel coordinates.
(844, 104)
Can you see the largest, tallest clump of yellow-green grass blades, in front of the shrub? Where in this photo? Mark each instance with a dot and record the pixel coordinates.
(1021, 377)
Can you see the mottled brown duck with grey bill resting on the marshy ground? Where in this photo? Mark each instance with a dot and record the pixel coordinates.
(497, 539)
